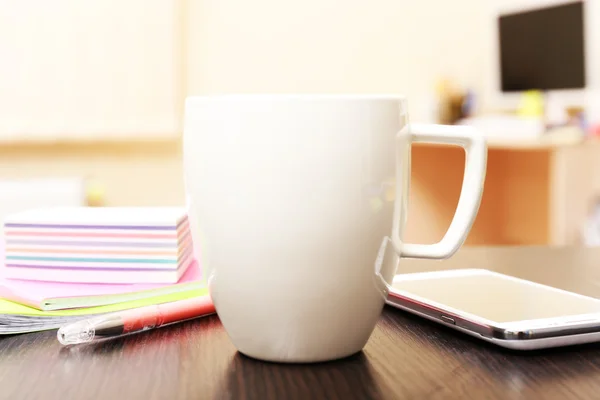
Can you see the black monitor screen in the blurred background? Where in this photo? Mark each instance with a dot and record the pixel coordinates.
(543, 49)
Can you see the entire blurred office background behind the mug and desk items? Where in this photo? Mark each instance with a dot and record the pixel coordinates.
(92, 95)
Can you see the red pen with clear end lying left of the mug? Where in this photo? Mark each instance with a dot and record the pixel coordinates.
(134, 320)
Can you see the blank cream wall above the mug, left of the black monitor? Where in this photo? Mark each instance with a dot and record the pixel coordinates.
(384, 46)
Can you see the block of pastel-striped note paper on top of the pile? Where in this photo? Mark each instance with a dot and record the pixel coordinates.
(98, 245)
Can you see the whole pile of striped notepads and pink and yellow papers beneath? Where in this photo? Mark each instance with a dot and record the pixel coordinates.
(65, 264)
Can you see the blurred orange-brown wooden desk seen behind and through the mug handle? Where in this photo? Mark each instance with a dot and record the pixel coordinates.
(537, 192)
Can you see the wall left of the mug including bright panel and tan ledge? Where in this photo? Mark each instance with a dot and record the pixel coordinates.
(66, 73)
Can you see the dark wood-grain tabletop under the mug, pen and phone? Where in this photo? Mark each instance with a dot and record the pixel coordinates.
(406, 357)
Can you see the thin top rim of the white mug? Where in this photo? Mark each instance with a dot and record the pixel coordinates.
(295, 96)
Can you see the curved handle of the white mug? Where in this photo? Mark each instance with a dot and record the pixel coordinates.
(470, 195)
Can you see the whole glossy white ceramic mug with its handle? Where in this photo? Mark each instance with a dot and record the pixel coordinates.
(294, 195)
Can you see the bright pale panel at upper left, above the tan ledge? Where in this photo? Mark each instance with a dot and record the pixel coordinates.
(90, 70)
